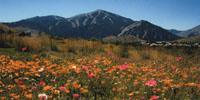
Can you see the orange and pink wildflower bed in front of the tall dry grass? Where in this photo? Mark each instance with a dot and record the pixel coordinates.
(97, 77)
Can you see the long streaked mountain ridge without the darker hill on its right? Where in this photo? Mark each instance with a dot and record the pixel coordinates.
(97, 24)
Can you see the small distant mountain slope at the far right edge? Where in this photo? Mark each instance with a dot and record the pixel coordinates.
(191, 32)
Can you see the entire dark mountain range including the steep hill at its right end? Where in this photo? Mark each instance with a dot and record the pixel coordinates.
(97, 24)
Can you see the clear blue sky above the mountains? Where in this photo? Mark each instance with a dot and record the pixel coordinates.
(169, 14)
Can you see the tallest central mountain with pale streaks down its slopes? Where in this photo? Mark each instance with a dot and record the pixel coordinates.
(98, 24)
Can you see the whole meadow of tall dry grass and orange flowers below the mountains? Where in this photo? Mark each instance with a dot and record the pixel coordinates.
(92, 70)
